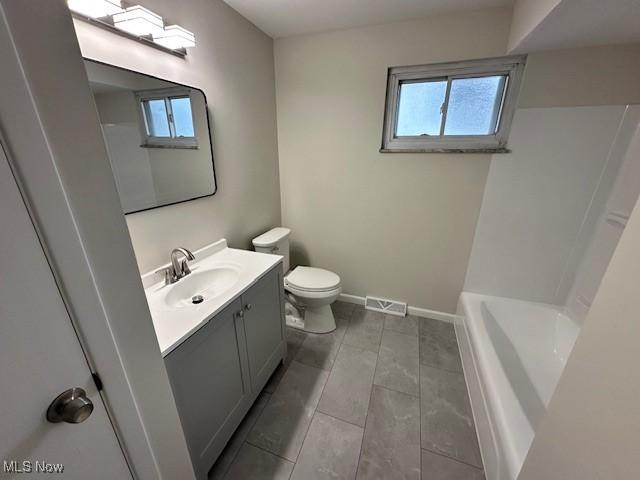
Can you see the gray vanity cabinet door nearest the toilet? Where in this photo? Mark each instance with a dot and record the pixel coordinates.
(264, 327)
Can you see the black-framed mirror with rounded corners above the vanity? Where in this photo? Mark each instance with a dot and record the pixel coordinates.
(157, 135)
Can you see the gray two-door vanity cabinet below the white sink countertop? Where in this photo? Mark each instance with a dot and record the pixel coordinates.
(217, 373)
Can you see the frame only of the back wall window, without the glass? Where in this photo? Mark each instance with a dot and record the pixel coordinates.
(511, 66)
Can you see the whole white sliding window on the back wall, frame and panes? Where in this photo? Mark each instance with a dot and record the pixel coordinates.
(451, 107)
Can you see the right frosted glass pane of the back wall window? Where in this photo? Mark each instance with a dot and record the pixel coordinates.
(474, 105)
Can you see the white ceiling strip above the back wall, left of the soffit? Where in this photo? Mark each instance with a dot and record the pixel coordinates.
(283, 18)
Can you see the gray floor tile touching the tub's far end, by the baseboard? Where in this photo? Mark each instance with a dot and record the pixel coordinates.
(438, 345)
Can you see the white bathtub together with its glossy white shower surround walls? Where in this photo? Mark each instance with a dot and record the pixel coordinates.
(544, 230)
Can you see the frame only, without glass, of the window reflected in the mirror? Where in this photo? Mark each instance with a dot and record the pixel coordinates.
(165, 94)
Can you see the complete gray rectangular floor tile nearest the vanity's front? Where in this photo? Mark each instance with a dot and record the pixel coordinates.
(284, 422)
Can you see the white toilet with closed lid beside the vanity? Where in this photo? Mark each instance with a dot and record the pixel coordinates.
(311, 290)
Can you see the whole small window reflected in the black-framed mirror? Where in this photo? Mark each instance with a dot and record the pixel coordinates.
(167, 118)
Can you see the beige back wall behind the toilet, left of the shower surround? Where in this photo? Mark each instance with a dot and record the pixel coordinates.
(392, 225)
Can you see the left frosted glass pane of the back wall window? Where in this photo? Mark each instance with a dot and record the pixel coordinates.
(419, 108)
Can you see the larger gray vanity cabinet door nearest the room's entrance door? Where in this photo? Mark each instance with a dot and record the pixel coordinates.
(210, 380)
